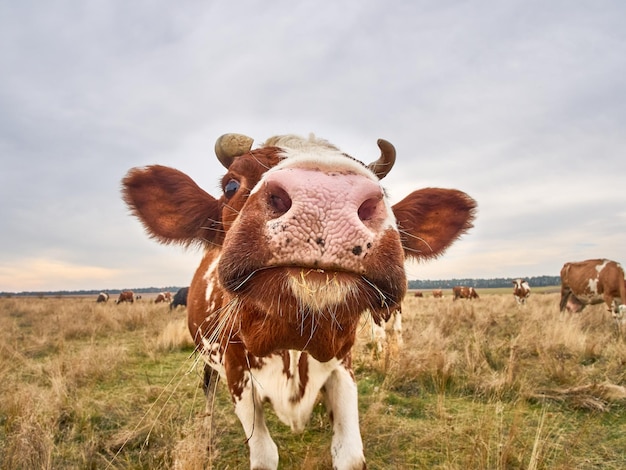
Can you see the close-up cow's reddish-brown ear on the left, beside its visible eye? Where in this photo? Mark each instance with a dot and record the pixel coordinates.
(172, 208)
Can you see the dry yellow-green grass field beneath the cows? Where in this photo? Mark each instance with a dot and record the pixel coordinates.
(480, 384)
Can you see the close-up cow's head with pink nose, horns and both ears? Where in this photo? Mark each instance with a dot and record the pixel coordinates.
(308, 238)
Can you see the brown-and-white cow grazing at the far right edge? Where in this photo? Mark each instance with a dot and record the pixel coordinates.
(592, 282)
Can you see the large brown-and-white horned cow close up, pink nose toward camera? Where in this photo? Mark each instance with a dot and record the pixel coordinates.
(302, 241)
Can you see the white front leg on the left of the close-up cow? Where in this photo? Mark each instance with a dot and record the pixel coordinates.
(249, 410)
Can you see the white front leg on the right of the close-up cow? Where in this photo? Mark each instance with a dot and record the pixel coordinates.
(342, 403)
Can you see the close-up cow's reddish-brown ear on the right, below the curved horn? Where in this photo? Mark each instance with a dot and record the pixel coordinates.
(431, 219)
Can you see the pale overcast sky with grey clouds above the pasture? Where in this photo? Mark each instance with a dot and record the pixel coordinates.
(519, 103)
